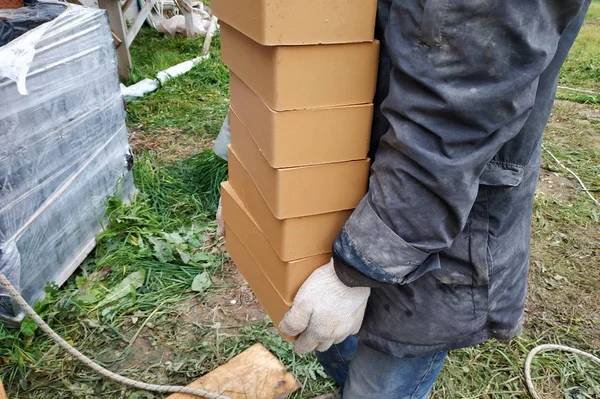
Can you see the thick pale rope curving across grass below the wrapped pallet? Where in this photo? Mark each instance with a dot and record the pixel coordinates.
(90, 363)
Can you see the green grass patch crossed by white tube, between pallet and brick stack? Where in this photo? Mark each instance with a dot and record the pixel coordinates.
(196, 102)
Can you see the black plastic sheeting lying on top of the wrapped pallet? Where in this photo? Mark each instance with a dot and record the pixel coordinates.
(15, 22)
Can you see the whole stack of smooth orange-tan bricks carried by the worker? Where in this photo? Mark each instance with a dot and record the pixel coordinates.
(303, 77)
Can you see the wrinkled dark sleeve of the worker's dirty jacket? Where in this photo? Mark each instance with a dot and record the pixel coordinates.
(463, 82)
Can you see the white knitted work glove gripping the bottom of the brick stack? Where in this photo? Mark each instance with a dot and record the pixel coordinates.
(325, 311)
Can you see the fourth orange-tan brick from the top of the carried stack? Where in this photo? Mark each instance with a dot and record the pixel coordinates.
(301, 191)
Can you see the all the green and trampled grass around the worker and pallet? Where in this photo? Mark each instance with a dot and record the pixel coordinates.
(168, 233)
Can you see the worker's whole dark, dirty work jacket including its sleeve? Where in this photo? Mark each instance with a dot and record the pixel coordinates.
(443, 234)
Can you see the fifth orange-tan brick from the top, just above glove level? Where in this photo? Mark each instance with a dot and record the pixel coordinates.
(291, 239)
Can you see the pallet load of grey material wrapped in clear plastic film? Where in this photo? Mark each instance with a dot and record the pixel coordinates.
(63, 149)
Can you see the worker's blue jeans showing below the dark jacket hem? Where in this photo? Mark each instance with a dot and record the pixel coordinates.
(365, 373)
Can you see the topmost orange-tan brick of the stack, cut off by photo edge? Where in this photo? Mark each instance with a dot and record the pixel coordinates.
(284, 22)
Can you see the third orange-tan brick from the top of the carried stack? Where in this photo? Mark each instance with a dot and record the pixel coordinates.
(303, 137)
